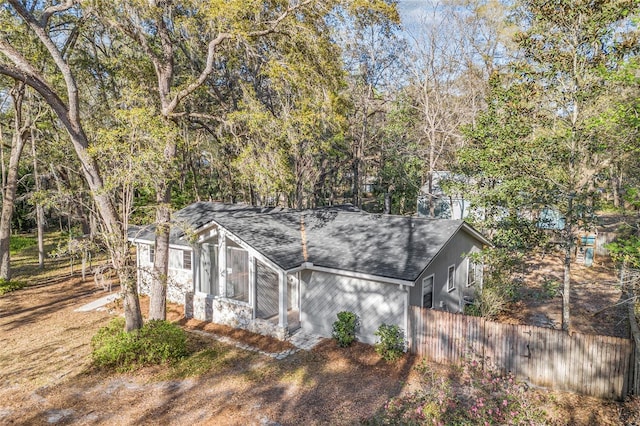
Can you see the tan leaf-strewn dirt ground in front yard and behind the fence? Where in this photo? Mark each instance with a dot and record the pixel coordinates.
(46, 376)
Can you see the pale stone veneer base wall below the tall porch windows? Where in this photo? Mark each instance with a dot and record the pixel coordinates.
(227, 312)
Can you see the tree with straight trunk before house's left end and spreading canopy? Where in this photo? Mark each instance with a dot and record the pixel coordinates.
(188, 43)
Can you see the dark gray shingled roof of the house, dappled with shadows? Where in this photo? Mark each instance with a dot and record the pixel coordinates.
(343, 238)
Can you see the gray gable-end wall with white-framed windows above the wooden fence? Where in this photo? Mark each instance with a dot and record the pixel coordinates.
(461, 243)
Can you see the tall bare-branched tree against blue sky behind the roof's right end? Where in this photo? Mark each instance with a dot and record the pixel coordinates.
(455, 50)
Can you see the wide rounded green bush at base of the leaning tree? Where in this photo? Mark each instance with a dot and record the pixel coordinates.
(156, 342)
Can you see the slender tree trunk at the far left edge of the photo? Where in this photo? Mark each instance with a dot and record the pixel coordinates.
(9, 191)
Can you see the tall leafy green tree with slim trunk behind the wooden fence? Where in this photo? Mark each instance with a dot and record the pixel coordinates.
(547, 107)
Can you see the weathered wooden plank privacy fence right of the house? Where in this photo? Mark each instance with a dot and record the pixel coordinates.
(588, 364)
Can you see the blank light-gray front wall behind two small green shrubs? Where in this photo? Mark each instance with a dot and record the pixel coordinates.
(375, 303)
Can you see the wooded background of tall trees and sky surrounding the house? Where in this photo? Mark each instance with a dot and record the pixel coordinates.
(119, 112)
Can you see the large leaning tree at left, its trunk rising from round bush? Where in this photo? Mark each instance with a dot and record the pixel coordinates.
(57, 84)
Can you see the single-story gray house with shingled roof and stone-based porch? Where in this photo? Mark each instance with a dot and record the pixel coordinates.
(273, 270)
